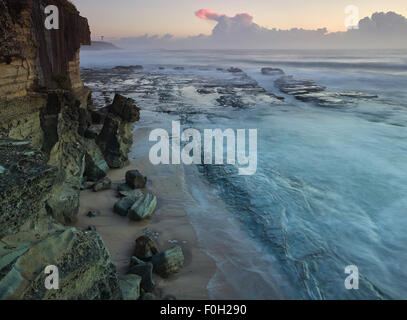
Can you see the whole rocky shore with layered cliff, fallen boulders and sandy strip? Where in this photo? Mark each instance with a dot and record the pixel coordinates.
(57, 148)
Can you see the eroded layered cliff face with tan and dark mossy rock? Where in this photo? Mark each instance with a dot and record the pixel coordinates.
(49, 146)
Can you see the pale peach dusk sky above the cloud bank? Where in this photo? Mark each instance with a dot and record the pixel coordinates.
(130, 18)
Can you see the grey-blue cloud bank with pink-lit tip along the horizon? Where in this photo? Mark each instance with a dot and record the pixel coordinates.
(381, 30)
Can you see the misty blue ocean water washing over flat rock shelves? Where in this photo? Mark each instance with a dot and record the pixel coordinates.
(331, 184)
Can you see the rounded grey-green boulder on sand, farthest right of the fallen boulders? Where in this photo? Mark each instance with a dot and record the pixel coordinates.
(168, 262)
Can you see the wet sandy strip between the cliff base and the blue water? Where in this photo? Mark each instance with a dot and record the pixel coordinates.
(170, 224)
